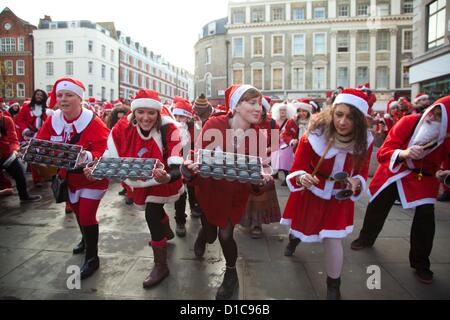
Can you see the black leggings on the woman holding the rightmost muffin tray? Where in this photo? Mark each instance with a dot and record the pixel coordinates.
(209, 233)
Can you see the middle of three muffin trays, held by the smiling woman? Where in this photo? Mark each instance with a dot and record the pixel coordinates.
(125, 168)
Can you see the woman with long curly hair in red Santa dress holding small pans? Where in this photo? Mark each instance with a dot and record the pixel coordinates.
(337, 141)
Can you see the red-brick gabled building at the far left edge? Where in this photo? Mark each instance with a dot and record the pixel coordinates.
(16, 57)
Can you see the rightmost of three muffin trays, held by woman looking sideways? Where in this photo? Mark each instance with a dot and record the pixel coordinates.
(230, 166)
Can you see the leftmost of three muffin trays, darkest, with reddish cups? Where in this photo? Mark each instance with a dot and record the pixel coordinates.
(52, 154)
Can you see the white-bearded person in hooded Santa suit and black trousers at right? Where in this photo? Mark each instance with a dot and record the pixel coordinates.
(410, 160)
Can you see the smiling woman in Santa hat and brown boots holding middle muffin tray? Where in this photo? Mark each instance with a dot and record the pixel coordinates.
(147, 133)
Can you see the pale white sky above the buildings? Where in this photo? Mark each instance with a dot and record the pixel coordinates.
(167, 27)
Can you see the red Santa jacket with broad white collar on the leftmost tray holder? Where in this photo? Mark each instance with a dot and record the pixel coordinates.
(94, 135)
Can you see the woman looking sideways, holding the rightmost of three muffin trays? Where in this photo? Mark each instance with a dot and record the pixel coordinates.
(224, 202)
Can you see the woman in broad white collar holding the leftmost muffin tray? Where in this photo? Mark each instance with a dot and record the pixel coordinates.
(63, 126)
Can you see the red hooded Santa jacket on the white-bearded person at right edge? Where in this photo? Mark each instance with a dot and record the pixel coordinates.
(413, 190)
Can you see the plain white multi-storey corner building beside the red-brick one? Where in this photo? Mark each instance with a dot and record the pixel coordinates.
(82, 50)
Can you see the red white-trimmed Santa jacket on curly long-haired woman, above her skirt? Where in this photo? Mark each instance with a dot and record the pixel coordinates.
(311, 148)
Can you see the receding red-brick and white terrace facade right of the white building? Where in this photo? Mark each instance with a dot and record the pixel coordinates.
(142, 68)
